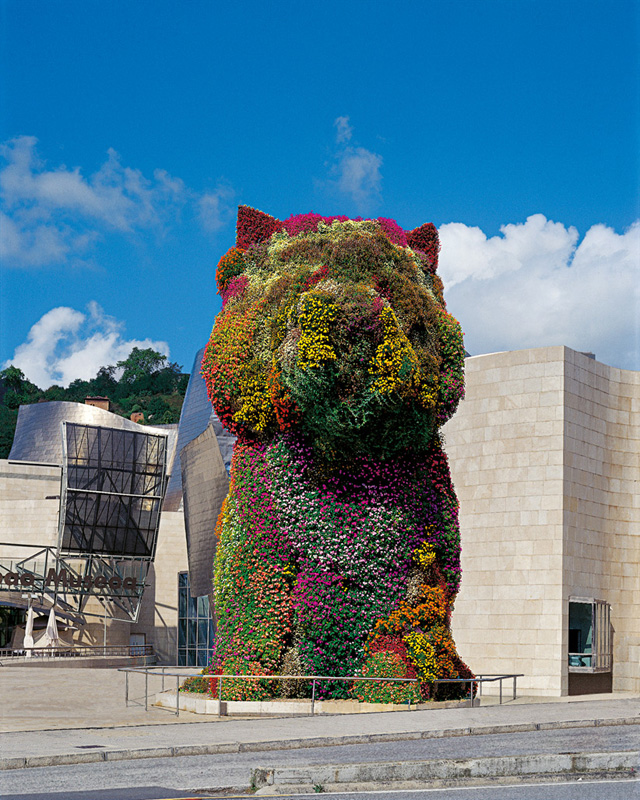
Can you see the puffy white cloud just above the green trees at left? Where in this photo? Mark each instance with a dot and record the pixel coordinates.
(66, 344)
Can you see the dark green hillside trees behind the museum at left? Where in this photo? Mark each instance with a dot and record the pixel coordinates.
(148, 383)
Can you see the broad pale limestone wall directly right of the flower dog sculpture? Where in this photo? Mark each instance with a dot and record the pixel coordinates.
(505, 451)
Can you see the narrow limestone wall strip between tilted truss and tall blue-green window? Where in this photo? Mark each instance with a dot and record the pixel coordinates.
(158, 618)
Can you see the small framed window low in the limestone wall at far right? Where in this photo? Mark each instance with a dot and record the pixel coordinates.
(589, 635)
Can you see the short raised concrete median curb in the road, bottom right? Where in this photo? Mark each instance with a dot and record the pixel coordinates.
(345, 777)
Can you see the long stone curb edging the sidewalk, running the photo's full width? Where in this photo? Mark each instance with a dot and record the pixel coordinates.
(96, 756)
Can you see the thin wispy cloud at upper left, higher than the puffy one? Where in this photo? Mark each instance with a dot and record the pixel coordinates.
(53, 215)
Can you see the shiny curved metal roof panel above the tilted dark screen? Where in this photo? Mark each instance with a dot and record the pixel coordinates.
(38, 438)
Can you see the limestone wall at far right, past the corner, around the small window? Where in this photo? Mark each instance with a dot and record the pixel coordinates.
(602, 501)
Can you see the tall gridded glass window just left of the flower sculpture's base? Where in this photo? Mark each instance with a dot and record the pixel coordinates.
(195, 627)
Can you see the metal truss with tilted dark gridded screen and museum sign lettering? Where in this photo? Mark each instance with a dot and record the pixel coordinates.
(112, 486)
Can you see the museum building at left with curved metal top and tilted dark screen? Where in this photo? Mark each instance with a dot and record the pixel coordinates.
(81, 514)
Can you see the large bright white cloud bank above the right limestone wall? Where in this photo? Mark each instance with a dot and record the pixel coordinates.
(537, 285)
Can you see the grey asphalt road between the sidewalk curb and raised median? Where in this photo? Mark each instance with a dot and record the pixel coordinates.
(144, 779)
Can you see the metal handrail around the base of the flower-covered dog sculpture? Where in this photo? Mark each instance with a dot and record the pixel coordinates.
(162, 671)
